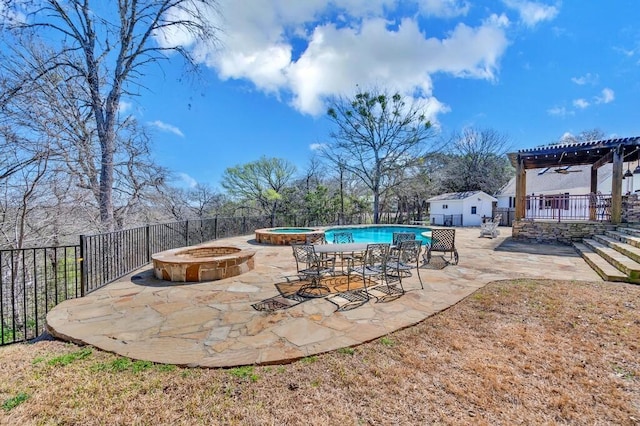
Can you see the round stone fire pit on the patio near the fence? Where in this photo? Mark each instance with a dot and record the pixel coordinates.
(204, 262)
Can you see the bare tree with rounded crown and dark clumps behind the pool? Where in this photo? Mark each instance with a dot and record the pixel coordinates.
(376, 136)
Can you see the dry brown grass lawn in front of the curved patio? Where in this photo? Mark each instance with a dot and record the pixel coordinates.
(515, 352)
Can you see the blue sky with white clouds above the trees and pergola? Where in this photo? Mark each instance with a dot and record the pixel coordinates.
(534, 70)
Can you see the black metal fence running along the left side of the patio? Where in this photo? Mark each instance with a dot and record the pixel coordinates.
(32, 281)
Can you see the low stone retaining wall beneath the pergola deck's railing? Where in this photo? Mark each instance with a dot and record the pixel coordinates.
(557, 232)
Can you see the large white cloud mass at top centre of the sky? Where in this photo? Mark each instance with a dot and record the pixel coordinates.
(290, 49)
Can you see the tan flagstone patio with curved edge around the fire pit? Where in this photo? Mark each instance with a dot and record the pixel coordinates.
(216, 323)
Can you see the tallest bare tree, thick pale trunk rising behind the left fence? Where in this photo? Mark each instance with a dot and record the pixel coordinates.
(104, 50)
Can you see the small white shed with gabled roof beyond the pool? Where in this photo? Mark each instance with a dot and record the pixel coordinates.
(461, 208)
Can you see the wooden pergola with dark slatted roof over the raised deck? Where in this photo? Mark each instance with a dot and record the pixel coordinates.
(597, 153)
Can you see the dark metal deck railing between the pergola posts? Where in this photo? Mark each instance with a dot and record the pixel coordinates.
(565, 207)
